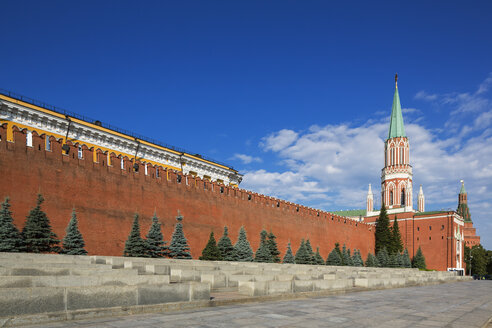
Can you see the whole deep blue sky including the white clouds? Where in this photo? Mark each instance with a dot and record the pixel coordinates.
(294, 94)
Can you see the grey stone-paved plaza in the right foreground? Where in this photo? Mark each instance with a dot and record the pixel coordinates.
(464, 304)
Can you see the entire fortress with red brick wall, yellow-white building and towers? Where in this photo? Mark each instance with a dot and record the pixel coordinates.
(107, 176)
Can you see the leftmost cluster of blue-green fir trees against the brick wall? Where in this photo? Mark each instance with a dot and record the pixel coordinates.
(37, 236)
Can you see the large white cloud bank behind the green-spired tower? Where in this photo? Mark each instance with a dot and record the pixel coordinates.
(330, 166)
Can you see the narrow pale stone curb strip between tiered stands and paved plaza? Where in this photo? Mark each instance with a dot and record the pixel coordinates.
(52, 317)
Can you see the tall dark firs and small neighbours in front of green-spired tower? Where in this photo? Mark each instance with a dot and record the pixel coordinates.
(389, 247)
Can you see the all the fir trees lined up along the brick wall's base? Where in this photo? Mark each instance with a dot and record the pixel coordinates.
(37, 237)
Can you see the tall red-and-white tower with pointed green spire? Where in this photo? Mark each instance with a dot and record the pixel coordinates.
(396, 176)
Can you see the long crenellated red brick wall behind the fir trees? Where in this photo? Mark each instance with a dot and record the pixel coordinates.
(106, 198)
